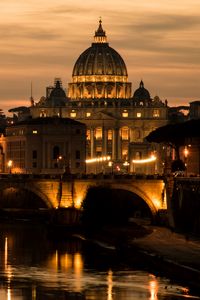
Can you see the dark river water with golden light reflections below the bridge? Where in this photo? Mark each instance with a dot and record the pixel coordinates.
(35, 266)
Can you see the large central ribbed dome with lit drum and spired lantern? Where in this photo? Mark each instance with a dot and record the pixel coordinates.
(100, 72)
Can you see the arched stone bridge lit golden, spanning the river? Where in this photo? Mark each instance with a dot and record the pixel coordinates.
(68, 191)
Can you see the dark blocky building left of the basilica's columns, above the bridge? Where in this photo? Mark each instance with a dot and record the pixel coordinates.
(45, 145)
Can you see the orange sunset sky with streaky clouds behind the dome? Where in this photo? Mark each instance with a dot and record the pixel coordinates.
(40, 40)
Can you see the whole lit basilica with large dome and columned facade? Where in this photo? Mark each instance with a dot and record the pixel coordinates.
(117, 120)
